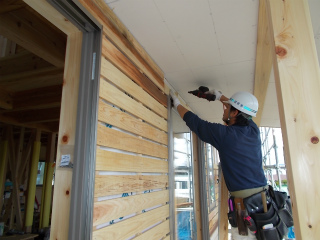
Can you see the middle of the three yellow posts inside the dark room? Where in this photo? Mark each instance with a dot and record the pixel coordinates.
(32, 182)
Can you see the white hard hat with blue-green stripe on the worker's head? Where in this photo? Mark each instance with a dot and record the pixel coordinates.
(245, 102)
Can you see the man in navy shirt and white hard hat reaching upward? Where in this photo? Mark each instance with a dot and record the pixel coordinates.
(238, 143)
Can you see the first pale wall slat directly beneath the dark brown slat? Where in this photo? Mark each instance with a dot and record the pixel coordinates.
(113, 74)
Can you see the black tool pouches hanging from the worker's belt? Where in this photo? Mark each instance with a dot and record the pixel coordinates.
(278, 214)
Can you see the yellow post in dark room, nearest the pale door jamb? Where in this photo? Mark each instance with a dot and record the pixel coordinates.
(46, 198)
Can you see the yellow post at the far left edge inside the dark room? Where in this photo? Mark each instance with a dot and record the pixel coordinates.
(3, 166)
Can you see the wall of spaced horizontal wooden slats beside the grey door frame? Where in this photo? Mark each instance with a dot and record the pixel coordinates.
(131, 196)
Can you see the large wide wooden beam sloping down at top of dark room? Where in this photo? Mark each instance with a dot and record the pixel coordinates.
(30, 32)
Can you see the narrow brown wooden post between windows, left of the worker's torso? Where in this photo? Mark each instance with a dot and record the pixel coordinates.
(197, 201)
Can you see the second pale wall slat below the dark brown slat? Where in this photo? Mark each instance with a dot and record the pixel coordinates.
(113, 95)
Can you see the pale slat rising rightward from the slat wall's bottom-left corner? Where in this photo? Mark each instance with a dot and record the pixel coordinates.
(132, 226)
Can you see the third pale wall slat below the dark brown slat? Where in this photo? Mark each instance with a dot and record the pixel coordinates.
(115, 117)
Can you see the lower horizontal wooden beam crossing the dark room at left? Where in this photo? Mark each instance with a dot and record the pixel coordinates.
(35, 78)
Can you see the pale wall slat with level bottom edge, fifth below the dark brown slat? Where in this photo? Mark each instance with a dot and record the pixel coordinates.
(113, 161)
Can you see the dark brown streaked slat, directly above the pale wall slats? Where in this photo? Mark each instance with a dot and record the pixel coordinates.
(127, 67)
